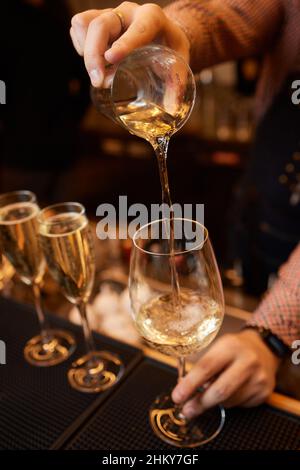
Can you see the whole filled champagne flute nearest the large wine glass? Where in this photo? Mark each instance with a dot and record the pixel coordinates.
(68, 247)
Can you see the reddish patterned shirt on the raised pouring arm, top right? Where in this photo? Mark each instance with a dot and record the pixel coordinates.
(221, 30)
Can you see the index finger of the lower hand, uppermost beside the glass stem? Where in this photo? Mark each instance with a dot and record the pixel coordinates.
(212, 363)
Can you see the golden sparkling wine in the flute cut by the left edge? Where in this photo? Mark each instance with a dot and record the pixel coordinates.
(18, 229)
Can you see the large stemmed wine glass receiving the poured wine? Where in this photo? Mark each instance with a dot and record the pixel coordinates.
(177, 329)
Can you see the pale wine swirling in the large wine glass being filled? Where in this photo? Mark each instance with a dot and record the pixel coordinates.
(199, 322)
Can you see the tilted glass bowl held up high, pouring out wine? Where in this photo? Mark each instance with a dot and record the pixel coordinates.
(152, 92)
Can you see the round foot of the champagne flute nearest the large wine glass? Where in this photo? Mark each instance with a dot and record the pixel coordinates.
(95, 372)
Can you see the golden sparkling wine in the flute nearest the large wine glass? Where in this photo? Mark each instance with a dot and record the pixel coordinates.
(69, 252)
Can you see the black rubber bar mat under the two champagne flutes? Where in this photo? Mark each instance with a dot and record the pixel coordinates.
(38, 408)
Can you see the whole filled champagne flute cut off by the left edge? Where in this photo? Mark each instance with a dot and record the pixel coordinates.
(20, 244)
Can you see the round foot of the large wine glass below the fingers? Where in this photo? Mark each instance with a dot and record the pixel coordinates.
(174, 429)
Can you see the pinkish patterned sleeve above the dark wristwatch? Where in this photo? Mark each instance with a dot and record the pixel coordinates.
(280, 309)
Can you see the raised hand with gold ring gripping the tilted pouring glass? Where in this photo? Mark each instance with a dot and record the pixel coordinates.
(101, 36)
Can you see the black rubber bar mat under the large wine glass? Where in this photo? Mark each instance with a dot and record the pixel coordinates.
(122, 421)
